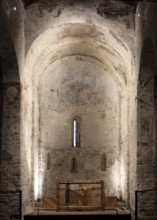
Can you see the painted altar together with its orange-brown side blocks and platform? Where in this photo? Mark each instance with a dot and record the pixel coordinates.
(79, 199)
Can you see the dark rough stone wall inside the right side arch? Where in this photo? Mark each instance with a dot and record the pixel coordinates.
(146, 155)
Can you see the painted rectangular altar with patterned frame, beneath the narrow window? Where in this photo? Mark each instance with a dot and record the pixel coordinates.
(80, 195)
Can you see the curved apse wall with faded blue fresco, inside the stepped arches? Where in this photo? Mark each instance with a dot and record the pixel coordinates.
(77, 86)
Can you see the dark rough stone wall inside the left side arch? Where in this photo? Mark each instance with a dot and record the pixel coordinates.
(10, 124)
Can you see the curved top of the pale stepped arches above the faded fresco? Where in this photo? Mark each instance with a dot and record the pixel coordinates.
(82, 40)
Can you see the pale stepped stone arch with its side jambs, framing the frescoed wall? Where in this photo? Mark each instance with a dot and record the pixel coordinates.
(82, 43)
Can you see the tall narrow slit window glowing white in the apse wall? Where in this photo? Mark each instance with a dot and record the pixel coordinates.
(75, 132)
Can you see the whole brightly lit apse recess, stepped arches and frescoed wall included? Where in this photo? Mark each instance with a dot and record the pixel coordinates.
(79, 77)
